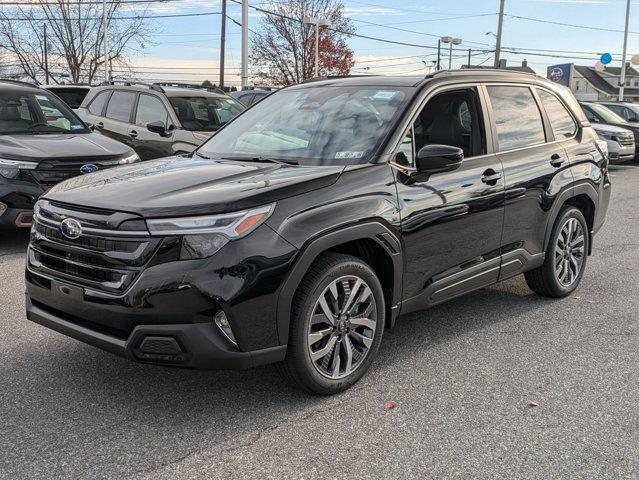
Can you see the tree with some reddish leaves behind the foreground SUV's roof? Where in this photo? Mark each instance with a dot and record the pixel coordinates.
(283, 48)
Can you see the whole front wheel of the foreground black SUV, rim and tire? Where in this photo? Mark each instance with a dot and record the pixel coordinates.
(336, 327)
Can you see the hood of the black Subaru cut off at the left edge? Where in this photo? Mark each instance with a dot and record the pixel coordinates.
(71, 147)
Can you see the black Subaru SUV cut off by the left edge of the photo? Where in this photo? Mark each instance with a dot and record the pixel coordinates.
(42, 142)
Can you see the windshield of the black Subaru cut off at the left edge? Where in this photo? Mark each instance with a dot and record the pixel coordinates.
(36, 113)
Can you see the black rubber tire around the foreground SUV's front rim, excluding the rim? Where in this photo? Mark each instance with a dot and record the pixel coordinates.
(298, 368)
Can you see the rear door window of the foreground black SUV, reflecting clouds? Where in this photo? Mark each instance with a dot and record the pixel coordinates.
(517, 117)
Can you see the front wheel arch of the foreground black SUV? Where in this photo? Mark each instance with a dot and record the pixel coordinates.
(372, 242)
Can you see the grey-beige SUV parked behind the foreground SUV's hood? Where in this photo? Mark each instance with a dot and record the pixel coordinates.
(158, 121)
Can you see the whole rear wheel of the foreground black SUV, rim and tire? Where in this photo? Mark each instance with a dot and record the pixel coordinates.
(566, 256)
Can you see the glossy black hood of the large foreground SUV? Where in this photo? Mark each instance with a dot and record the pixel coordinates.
(178, 186)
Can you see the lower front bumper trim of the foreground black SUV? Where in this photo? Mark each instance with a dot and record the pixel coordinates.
(192, 345)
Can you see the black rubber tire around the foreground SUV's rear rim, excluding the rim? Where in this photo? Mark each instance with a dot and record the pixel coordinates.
(543, 280)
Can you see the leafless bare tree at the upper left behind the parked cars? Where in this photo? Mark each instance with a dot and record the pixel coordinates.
(75, 39)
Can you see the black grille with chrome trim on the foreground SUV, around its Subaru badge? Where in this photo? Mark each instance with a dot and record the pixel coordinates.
(101, 259)
